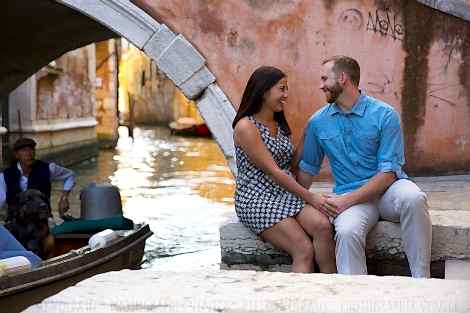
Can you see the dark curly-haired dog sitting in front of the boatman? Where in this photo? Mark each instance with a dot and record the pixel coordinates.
(28, 222)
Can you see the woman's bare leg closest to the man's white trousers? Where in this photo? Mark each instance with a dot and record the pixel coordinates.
(318, 226)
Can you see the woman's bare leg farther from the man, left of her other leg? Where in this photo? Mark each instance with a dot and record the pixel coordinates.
(289, 236)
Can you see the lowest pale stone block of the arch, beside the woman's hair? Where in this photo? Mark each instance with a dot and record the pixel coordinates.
(218, 113)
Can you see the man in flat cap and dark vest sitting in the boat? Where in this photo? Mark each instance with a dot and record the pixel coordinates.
(29, 173)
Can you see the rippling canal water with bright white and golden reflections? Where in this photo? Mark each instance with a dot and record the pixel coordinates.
(181, 186)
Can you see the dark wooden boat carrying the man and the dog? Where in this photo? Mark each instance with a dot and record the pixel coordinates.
(79, 262)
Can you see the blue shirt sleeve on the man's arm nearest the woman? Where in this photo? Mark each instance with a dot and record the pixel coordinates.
(313, 154)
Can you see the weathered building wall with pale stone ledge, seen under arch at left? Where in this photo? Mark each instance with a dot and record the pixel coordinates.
(56, 107)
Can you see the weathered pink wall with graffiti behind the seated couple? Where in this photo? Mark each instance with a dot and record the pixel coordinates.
(413, 57)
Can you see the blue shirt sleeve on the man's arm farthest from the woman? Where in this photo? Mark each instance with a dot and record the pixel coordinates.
(390, 155)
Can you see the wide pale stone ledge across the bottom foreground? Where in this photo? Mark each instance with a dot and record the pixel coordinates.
(248, 291)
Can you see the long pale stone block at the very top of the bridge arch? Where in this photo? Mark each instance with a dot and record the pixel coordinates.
(122, 16)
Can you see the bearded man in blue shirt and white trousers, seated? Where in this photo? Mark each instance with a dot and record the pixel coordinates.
(363, 141)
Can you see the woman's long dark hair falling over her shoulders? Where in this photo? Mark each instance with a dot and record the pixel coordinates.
(261, 81)
